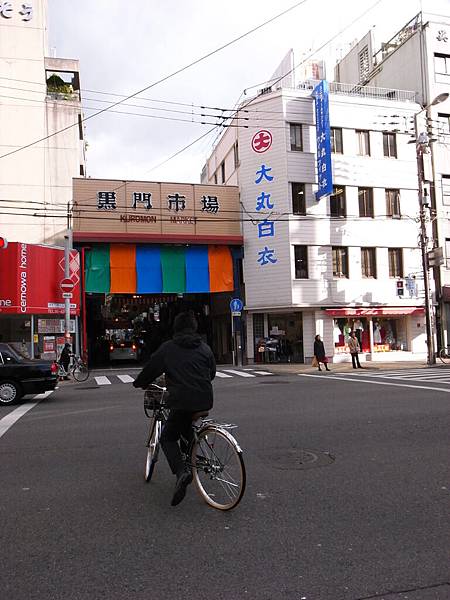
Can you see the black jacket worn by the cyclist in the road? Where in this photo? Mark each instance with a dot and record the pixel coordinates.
(189, 366)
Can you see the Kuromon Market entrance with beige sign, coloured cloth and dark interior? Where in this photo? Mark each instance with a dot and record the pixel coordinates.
(150, 251)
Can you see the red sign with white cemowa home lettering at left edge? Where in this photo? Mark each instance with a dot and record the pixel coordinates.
(30, 278)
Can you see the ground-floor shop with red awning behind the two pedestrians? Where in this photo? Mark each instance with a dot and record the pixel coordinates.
(384, 333)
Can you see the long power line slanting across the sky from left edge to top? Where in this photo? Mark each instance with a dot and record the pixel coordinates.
(163, 79)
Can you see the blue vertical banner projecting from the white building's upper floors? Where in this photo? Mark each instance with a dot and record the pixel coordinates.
(324, 174)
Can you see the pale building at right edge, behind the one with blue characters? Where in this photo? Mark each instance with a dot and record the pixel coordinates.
(418, 58)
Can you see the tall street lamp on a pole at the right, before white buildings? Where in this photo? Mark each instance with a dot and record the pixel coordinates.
(422, 142)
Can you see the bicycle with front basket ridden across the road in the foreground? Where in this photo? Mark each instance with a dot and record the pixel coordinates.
(214, 455)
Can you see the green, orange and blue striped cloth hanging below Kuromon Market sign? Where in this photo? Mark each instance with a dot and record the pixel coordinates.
(152, 269)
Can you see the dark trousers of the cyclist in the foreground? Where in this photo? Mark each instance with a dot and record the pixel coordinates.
(178, 424)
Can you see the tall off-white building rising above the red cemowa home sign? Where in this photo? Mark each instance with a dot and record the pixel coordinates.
(38, 96)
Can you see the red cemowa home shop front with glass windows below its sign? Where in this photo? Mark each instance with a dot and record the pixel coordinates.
(31, 300)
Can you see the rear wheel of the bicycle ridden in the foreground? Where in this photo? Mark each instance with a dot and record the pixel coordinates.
(218, 468)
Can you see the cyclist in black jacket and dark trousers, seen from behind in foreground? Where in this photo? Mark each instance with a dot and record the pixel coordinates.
(189, 366)
